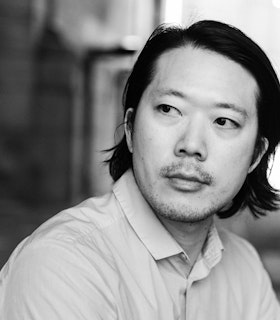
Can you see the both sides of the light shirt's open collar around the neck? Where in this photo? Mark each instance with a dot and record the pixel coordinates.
(149, 229)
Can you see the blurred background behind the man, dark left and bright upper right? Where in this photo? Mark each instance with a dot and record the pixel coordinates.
(63, 64)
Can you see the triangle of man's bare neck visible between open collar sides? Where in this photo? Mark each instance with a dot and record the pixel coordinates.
(190, 236)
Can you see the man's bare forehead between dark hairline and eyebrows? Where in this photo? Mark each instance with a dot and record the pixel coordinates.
(200, 71)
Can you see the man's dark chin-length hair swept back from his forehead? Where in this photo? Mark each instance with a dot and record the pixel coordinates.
(256, 192)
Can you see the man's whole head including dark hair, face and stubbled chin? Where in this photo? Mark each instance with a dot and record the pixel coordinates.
(197, 71)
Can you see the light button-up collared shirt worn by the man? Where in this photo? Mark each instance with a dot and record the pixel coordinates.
(111, 258)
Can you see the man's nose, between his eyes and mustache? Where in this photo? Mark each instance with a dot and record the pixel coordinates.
(192, 140)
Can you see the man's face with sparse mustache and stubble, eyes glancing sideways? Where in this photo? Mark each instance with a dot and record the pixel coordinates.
(194, 134)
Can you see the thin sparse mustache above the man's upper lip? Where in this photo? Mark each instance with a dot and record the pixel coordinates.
(187, 169)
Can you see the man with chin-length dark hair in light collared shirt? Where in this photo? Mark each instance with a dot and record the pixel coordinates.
(201, 113)
